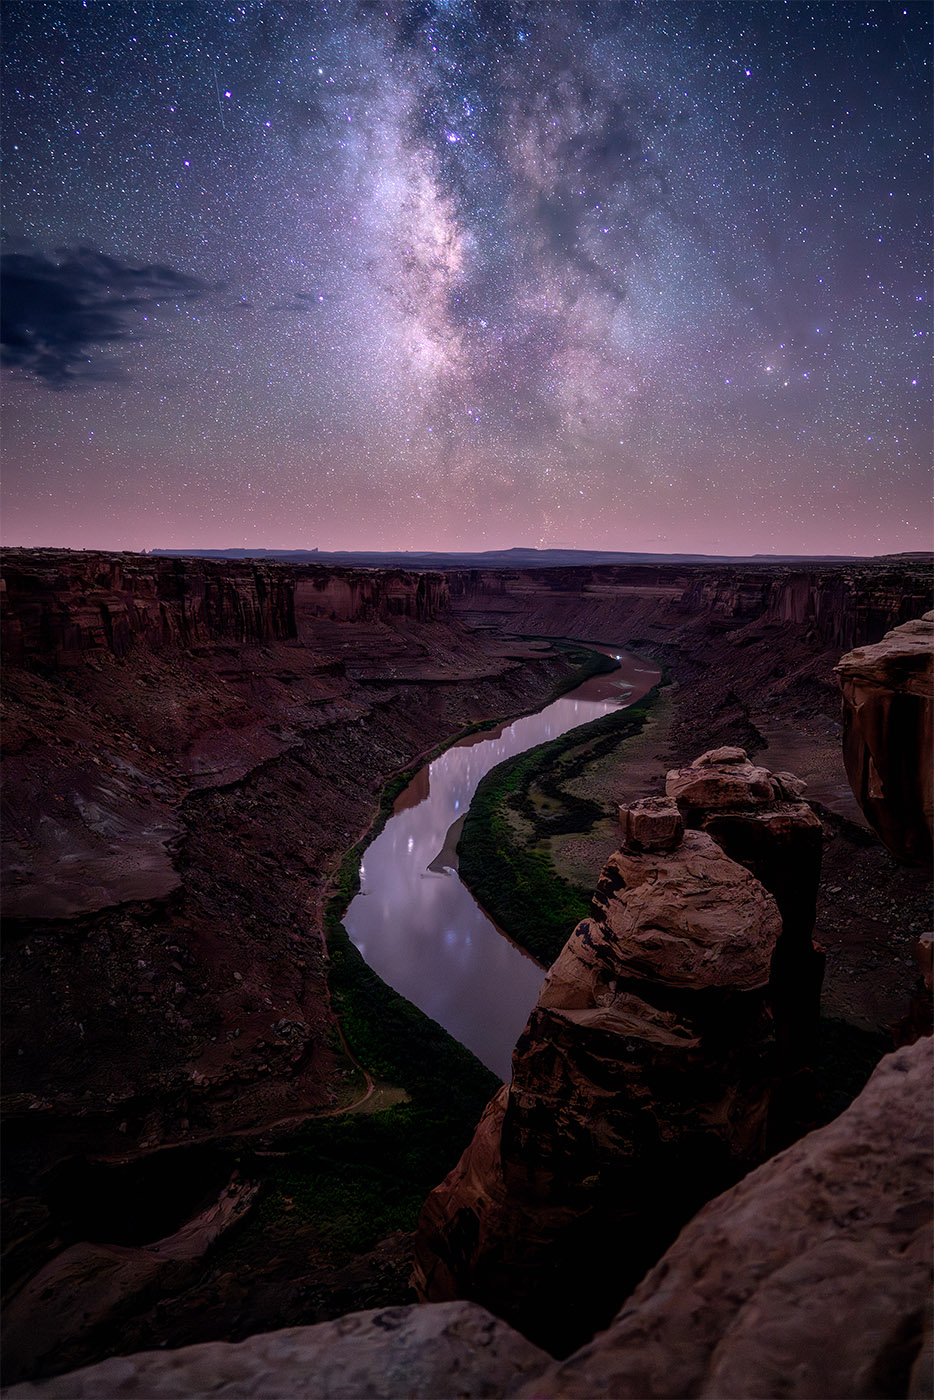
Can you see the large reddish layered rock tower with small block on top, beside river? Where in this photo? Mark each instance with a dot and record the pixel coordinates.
(641, 1088)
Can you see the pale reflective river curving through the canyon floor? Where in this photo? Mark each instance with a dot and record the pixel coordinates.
(414, 920)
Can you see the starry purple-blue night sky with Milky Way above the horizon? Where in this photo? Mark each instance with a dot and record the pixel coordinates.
(632, 276)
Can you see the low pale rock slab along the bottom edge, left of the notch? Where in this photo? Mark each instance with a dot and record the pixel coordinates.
(454, 1350)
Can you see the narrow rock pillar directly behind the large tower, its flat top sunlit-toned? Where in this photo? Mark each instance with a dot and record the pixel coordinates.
(758, 818)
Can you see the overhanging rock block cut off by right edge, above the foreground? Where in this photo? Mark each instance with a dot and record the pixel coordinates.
(888, 736)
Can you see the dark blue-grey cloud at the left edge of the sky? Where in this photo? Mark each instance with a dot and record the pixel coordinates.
(54, 316)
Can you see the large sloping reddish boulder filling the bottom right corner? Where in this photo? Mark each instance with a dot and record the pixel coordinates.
(810, 1280)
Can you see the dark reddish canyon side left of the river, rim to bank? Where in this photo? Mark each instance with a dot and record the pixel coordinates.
(190, 750)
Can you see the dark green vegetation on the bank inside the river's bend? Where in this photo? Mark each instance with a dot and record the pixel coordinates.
(516, 808)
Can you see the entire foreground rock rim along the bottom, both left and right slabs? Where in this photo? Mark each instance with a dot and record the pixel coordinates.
(809, 1280)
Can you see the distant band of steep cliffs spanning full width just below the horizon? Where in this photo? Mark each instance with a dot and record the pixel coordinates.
(61, 605)
